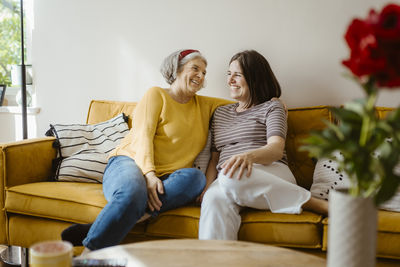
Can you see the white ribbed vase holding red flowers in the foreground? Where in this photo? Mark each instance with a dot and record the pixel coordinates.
(351, 231)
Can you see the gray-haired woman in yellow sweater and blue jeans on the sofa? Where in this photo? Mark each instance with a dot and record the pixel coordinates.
(151, 170)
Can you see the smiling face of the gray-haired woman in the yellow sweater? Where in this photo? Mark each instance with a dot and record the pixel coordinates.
(191, 77)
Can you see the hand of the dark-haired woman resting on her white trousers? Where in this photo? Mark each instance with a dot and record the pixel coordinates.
(242, 162)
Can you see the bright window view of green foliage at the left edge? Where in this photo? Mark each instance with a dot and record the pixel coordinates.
(10, 41)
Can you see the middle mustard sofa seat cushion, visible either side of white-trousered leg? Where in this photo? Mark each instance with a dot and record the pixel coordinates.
(302, 230)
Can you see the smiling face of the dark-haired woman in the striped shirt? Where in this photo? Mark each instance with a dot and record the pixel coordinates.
(239, 89)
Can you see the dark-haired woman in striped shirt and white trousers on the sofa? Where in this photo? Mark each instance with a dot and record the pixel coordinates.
(248, 137)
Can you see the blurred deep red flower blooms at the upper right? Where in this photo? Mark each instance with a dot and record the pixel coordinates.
(375, 46)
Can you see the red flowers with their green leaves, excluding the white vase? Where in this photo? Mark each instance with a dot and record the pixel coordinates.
(369, 146)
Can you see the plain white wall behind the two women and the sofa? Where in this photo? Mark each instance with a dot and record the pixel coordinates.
(112, 49)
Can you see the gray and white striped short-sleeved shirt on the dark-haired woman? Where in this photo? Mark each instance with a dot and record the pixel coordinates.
(237, 132)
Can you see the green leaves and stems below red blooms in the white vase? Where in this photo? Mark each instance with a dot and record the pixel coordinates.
(358, 134)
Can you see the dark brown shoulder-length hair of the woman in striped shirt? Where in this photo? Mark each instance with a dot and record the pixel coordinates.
(262, 82)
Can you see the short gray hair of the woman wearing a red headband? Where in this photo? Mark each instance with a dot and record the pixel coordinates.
(172, 65)
